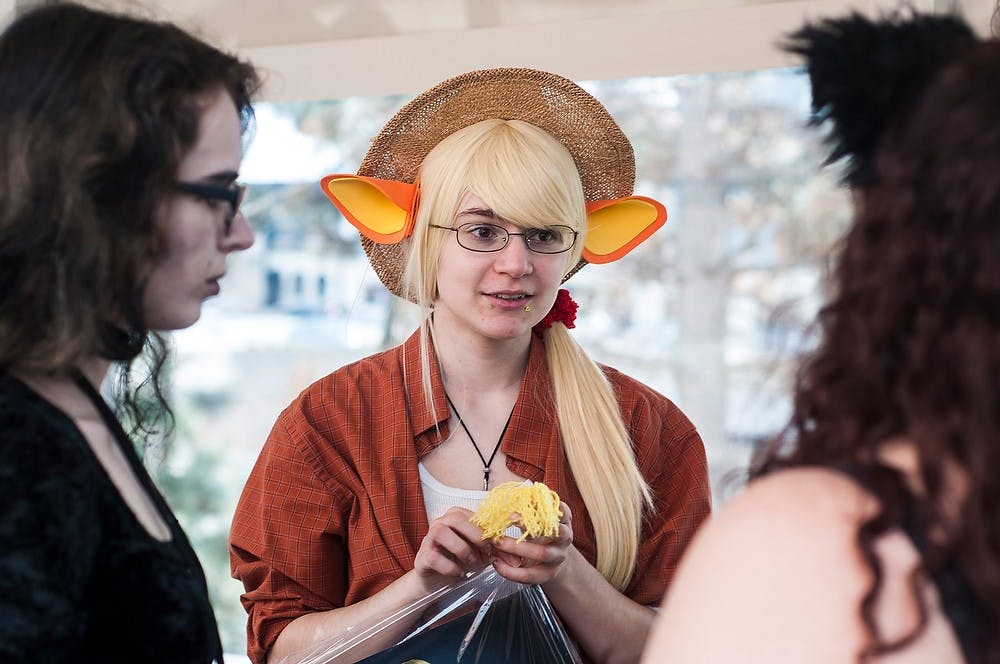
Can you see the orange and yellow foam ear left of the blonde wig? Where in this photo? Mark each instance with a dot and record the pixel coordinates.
(381, 210)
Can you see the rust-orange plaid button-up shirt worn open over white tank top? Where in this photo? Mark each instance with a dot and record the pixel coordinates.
(333, 510)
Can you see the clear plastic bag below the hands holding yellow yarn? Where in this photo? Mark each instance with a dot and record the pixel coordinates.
(482, 619)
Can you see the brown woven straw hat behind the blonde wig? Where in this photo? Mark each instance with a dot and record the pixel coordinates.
(602, 153)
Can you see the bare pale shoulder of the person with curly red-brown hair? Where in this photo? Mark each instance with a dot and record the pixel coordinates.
(776, 571)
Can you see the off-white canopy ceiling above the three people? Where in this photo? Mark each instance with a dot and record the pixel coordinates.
(314, 49)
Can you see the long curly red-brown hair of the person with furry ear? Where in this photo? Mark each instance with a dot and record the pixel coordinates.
(910, 343)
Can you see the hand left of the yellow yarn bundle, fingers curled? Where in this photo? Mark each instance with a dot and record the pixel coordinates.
(452, 547)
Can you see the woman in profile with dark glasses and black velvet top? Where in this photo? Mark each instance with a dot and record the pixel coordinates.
(120, 141)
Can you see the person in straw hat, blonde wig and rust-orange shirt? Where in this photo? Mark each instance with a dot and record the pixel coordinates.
(476, 201)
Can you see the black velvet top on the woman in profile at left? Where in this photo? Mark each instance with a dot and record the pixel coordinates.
(81, 579)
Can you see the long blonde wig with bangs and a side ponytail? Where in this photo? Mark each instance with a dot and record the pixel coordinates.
(526, 175)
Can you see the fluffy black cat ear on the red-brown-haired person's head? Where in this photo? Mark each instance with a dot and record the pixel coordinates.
(865, 74)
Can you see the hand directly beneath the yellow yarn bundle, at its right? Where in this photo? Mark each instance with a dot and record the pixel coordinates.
(535, 561)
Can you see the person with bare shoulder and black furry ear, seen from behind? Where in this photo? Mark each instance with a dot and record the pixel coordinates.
(869, 532)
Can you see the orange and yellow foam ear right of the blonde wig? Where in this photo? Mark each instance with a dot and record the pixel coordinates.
(618, 226)
